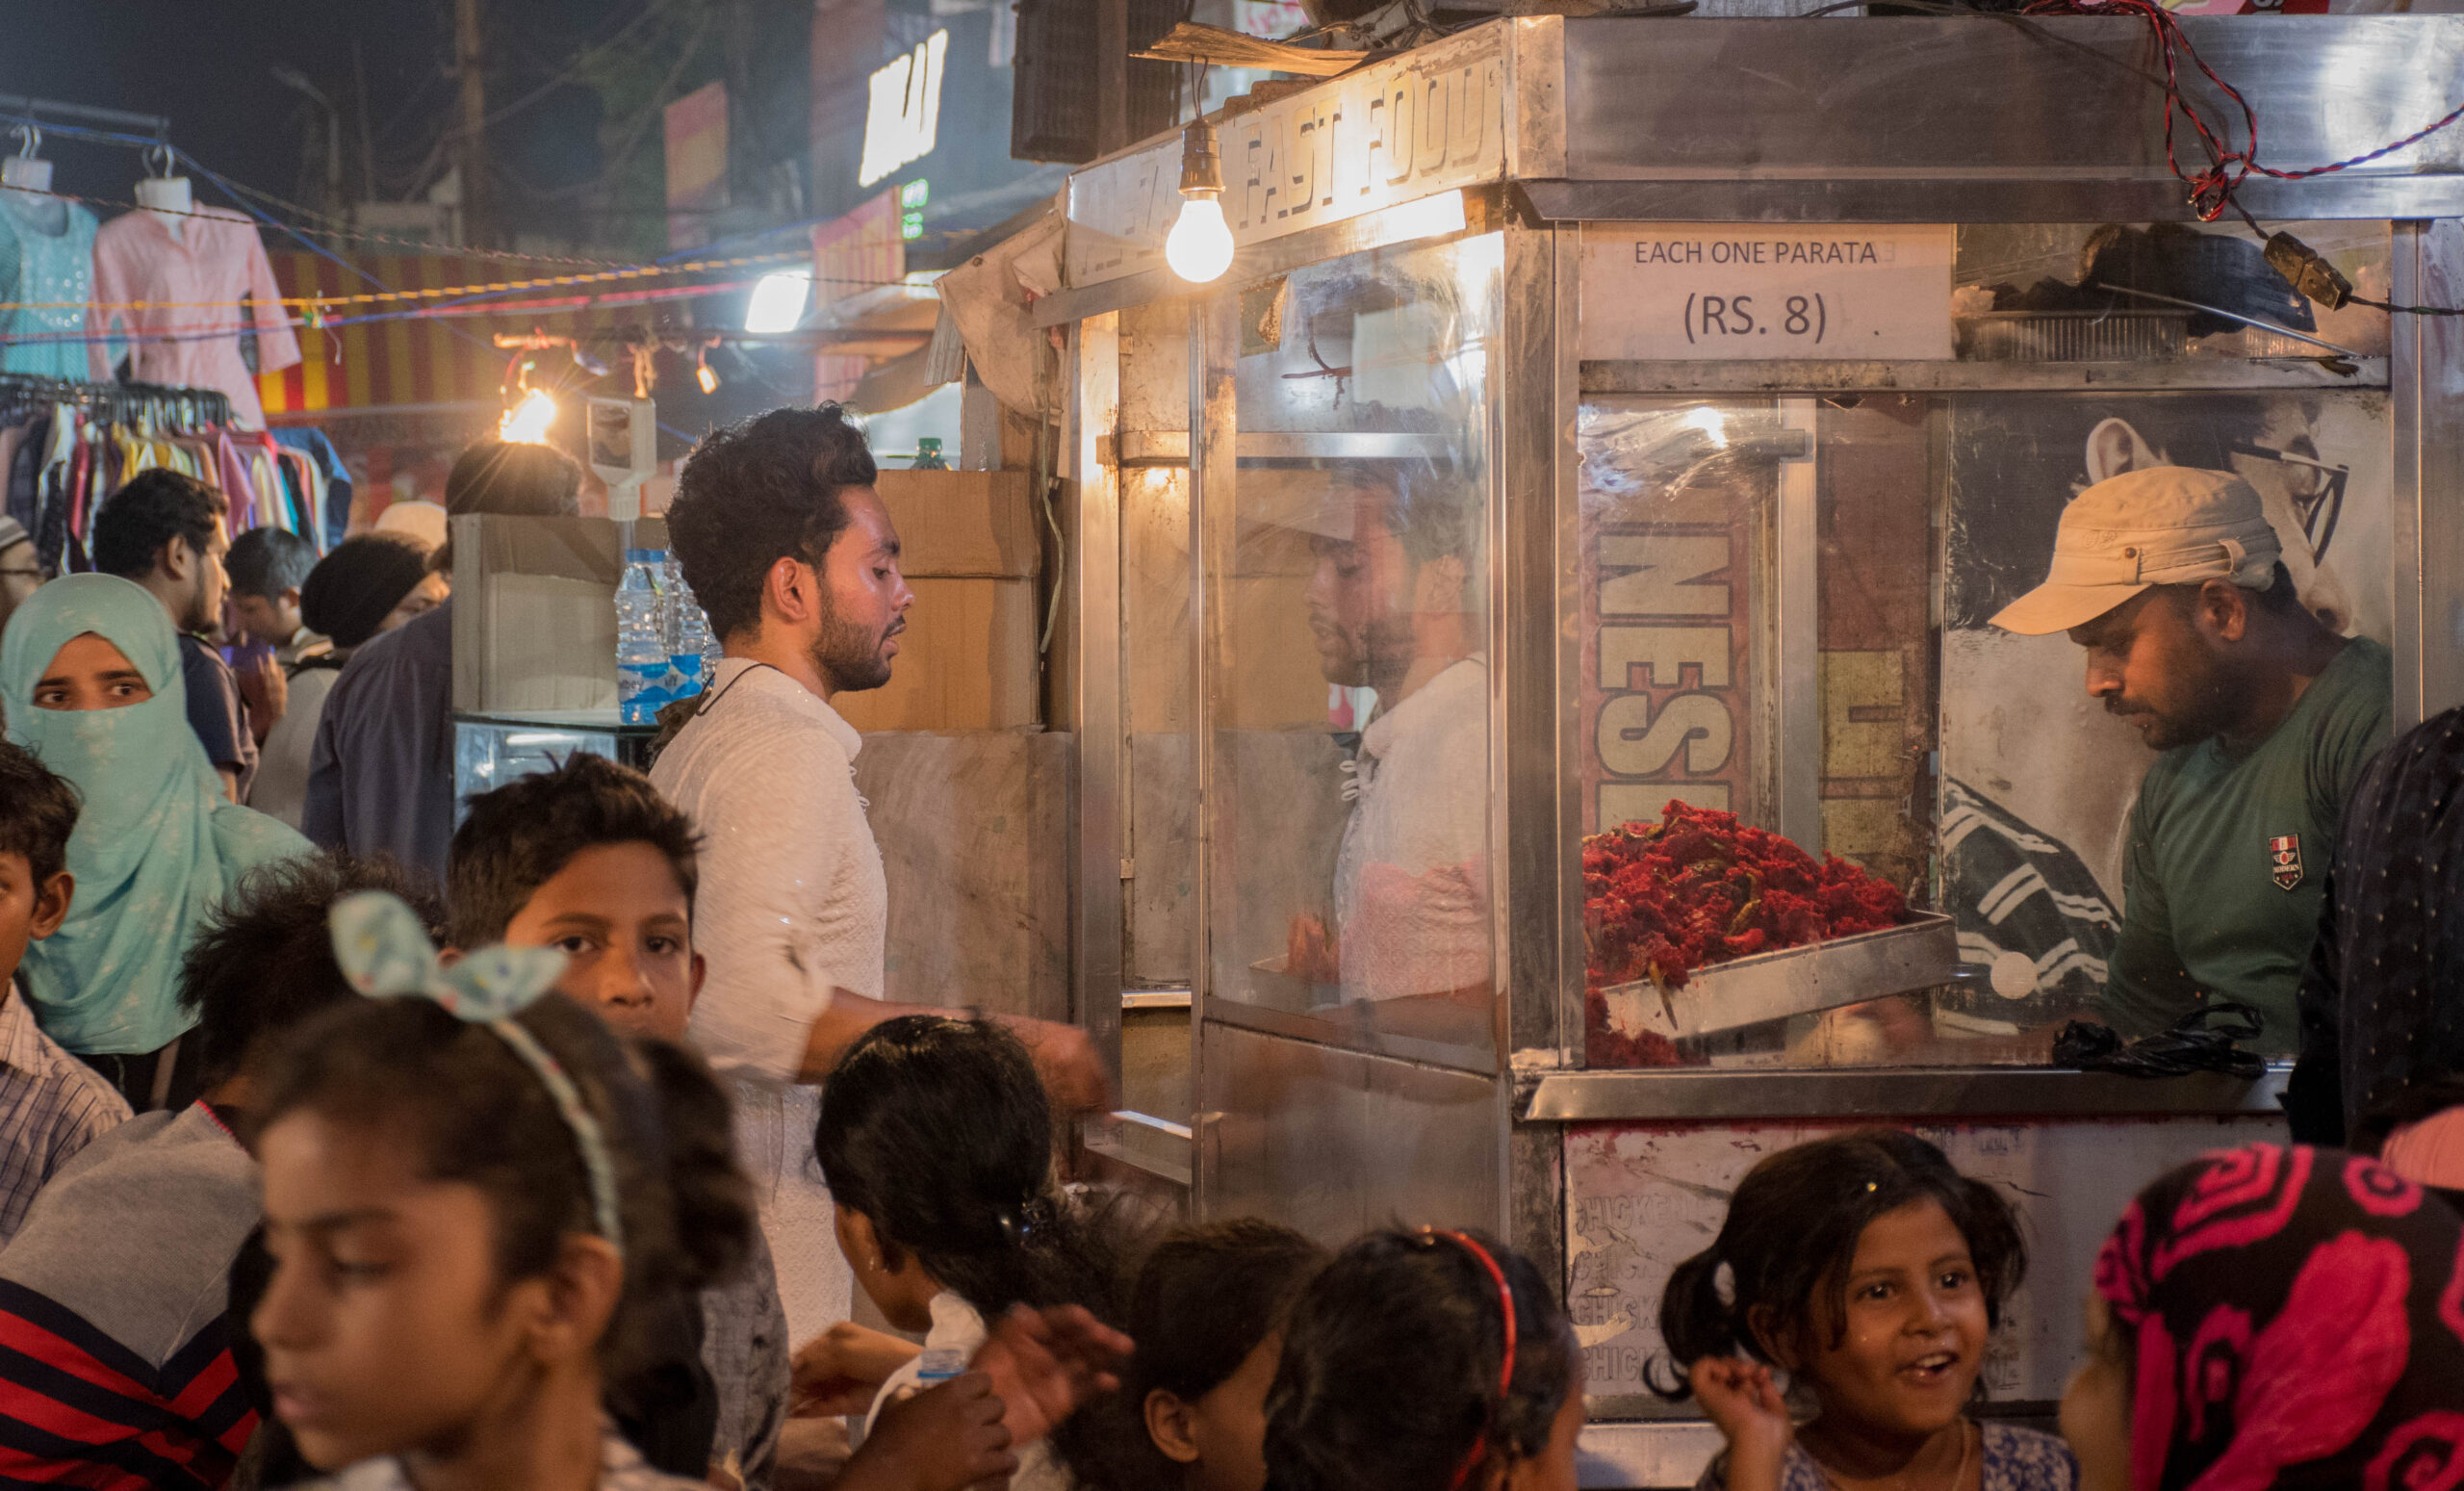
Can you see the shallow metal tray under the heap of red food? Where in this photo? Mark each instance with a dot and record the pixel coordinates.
(1923, 953)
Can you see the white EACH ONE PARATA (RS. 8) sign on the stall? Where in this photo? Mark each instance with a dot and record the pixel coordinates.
(1689, 292)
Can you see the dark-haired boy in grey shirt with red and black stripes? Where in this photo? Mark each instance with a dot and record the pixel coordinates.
(117, 1339)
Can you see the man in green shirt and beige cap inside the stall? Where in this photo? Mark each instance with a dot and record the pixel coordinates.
(2174, 585)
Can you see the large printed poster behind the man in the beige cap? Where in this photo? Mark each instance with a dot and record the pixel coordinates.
(2036, 778)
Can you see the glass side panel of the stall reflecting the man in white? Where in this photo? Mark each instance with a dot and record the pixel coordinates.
(1349, 654)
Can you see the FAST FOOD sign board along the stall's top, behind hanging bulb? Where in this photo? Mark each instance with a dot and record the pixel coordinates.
(1381, 137)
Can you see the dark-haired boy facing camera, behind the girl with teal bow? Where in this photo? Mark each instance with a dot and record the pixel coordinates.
(593, 861)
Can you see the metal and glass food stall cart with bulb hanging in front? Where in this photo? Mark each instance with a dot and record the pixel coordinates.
(1603, 413)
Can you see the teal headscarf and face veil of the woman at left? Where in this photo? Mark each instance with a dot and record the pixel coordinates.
(156, 842)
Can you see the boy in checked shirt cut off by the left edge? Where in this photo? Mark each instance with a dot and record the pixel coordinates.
(51, 1103)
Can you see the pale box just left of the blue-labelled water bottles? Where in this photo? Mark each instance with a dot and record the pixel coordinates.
(536, 612)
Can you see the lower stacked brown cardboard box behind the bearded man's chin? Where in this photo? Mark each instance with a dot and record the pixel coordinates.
(967, 662)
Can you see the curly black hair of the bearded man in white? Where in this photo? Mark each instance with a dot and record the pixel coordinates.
(760, 492)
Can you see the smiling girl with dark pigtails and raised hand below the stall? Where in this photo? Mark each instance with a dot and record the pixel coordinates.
(1874, 1275)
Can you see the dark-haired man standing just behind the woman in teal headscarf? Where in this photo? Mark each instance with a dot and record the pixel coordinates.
(166, 534)
